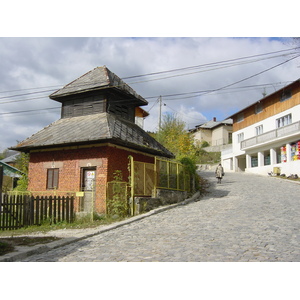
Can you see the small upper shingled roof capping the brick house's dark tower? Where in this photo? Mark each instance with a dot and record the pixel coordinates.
(97, 79)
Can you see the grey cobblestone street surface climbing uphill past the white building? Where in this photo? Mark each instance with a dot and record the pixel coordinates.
(245, 218)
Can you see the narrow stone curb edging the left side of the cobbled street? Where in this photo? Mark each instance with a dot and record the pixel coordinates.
(39, 249)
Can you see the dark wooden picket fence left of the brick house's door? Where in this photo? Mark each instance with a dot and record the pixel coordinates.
(20, 211)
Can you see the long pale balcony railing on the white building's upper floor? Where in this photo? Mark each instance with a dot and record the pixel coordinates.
(272, 135)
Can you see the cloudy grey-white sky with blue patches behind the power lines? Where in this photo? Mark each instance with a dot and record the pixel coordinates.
(50, 63)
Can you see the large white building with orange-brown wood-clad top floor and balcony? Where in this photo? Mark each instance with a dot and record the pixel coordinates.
(266, 135)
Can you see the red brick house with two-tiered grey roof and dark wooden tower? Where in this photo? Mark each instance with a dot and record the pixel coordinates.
(93, 138)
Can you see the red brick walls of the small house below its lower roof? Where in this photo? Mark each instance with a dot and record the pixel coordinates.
(107, 160)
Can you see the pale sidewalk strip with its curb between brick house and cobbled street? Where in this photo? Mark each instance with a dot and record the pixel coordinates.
(69, 236)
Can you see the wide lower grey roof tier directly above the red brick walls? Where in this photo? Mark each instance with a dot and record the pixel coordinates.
(97, 128)
